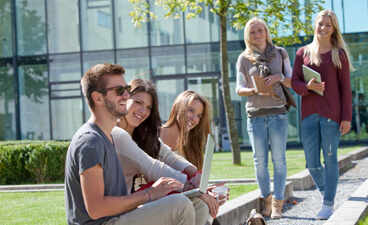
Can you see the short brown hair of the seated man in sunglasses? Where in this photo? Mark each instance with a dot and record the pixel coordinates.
(95, 79)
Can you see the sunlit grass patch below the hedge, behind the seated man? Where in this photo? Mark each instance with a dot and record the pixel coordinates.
(32, 208)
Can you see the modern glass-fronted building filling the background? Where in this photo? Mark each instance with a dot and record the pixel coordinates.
(46, 46)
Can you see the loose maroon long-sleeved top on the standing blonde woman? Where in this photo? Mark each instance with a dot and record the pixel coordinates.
(336, 102)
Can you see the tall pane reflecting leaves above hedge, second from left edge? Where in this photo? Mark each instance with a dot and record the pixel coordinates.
(34, 102)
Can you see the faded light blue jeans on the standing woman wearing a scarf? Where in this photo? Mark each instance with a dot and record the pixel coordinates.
(269, 132)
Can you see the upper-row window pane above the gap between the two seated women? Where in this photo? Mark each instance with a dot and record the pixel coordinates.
(165, 31)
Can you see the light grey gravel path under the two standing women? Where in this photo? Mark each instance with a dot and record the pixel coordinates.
(310, 201)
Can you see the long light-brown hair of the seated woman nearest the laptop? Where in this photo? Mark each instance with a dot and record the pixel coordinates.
(190, 144)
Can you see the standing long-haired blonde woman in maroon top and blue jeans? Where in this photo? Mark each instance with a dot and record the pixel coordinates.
(324, 117)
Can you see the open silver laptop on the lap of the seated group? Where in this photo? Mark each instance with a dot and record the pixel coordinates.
(205, 171)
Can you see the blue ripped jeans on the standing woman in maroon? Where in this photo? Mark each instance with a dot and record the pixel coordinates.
(320, 132)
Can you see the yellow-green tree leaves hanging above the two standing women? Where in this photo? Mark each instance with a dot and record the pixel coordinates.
(288, 20)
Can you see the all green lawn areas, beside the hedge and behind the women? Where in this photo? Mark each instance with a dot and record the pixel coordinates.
(48, 207)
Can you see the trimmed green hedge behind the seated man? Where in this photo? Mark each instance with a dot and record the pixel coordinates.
(32, 162)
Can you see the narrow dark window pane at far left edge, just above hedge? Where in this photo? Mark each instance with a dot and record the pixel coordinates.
(7, 103)
